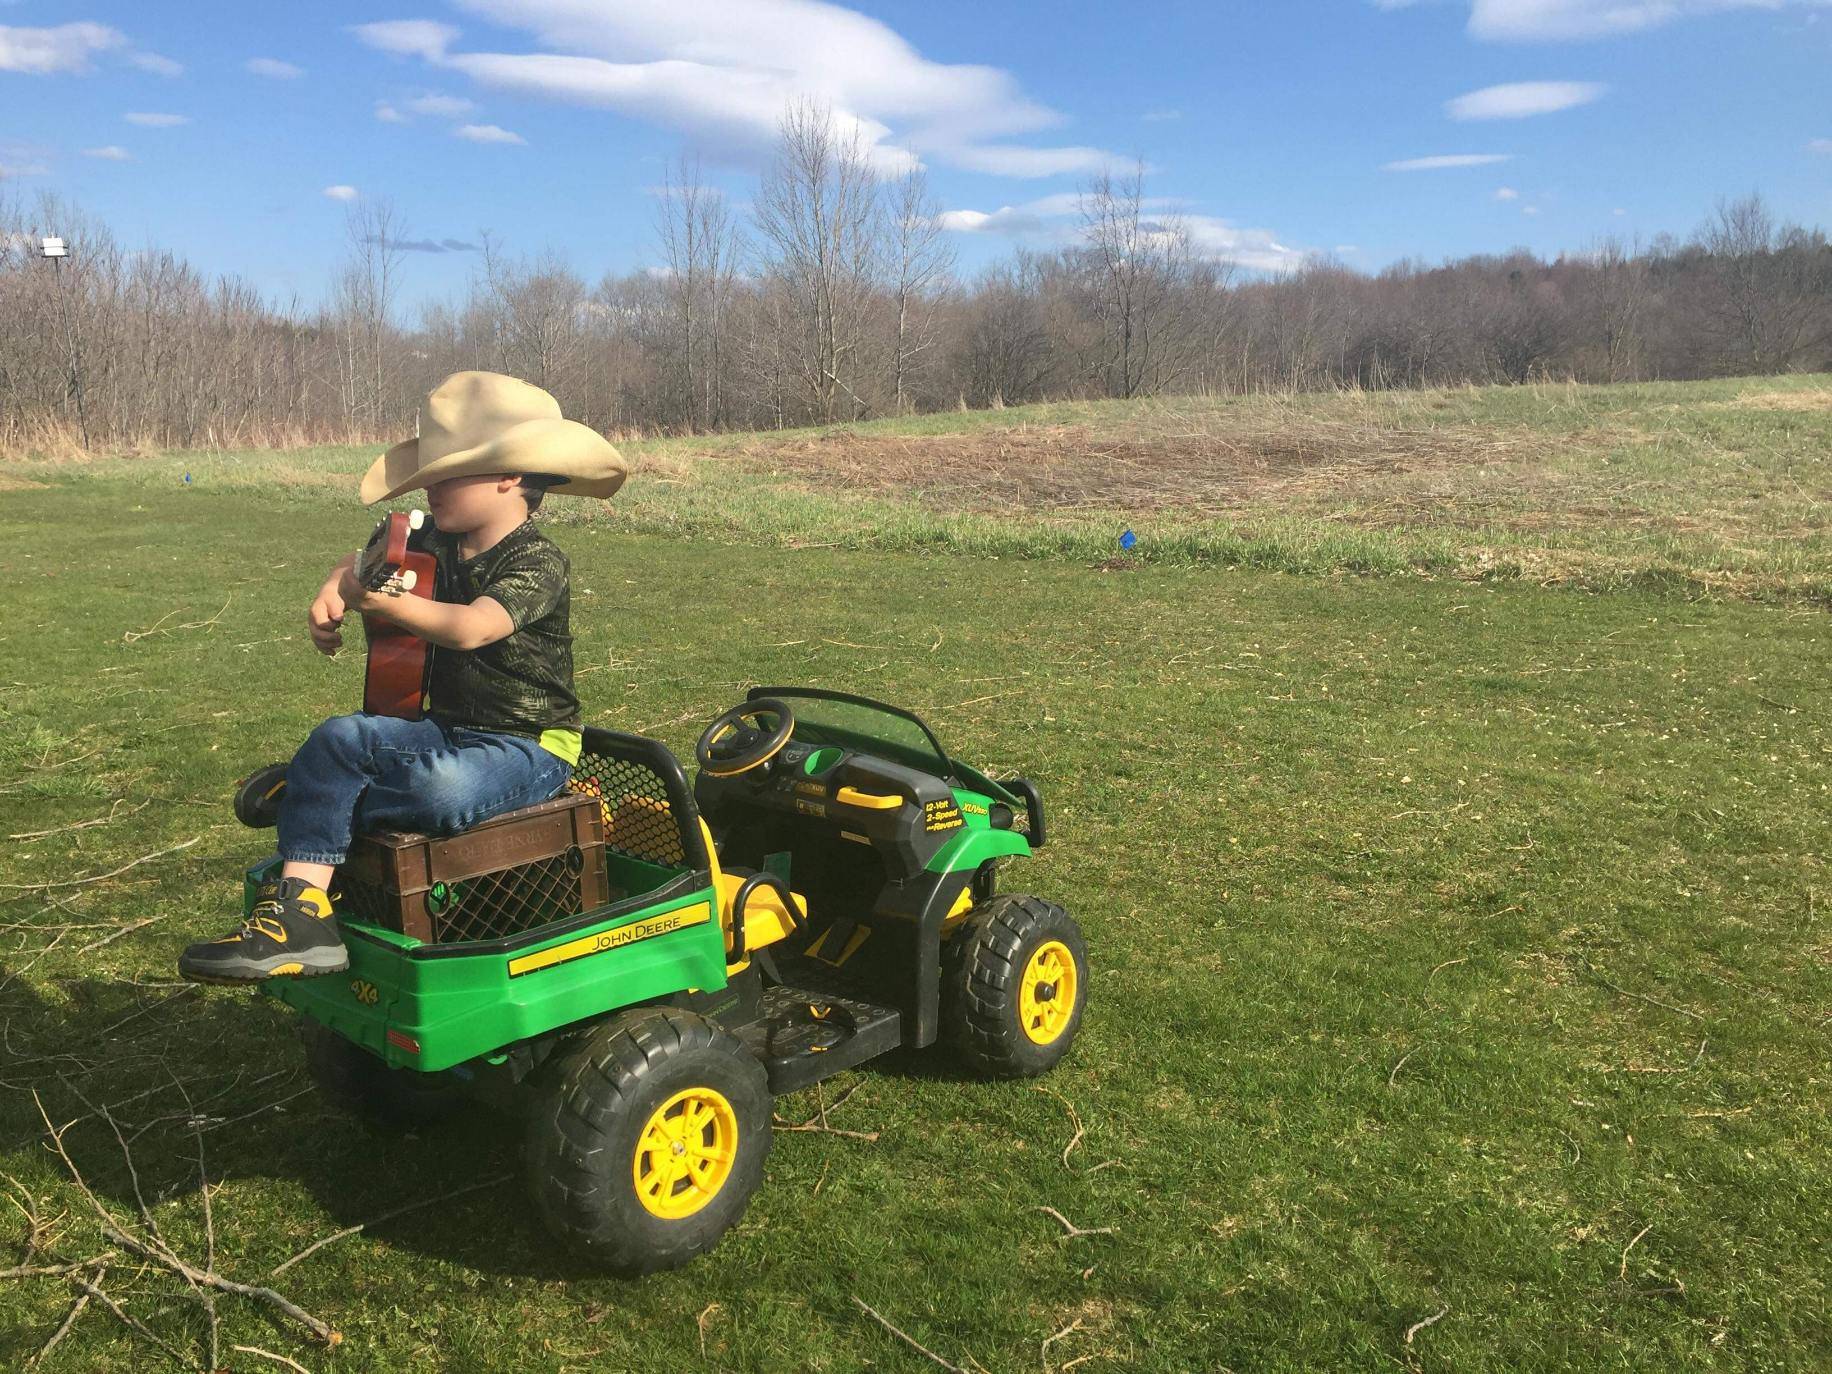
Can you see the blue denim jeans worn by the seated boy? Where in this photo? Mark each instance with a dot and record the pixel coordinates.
(367, 772)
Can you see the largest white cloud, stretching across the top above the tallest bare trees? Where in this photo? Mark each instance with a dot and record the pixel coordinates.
(725, 74)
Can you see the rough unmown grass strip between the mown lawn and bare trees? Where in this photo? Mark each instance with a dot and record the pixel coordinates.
(1719, 486)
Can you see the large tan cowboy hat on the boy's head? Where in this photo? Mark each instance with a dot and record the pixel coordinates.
(485, 422)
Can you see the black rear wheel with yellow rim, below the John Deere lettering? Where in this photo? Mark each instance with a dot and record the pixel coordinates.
(583, 1139)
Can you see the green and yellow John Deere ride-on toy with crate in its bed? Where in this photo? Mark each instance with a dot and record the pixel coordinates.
(638, 968)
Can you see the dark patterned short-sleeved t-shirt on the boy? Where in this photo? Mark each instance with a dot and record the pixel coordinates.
(523, 682)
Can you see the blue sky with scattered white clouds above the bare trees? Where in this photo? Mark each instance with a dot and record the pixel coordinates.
(1276, 131)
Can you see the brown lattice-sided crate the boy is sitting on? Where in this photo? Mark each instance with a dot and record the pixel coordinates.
(501, 877)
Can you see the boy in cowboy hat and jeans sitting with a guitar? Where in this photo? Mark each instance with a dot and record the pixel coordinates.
(501, 726)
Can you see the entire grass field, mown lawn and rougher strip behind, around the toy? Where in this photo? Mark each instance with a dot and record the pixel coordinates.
(1461, 937)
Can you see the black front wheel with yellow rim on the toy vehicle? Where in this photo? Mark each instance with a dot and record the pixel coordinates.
(983, 992)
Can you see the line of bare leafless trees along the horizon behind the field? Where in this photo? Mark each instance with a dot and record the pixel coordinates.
(838, 298)
